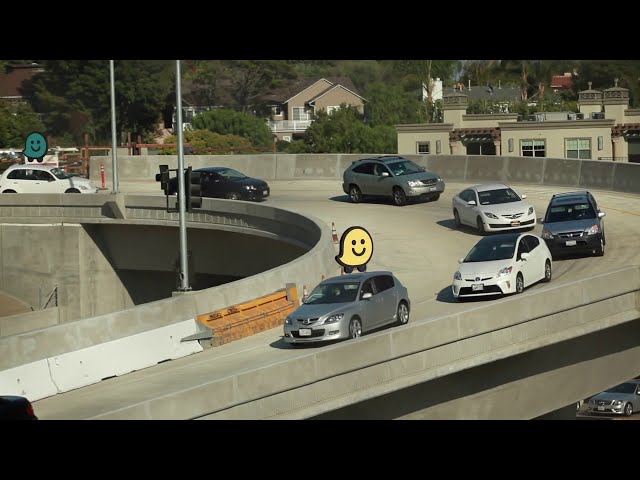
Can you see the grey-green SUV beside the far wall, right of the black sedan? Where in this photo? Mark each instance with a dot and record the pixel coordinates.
(390, 176)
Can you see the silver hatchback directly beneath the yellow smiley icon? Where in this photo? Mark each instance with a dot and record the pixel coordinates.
(348, 306)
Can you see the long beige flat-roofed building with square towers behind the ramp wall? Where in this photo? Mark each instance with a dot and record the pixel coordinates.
(605, 128)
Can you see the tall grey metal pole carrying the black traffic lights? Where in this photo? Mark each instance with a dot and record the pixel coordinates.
(184, 266)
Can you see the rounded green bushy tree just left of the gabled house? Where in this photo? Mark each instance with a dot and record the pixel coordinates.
(225, 122)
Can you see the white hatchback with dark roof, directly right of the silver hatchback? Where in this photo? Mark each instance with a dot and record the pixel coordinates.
(502, 264)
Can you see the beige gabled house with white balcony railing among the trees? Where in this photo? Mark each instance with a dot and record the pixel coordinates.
(293, 108)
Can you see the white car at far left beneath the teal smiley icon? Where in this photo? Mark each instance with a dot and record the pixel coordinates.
(43, 179)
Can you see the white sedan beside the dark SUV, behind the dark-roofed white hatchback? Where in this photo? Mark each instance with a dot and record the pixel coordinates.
(493, 207)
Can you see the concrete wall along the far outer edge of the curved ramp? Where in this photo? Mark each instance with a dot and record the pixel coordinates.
(599, 174)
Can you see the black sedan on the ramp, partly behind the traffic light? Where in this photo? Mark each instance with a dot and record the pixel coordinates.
(224, 182)
